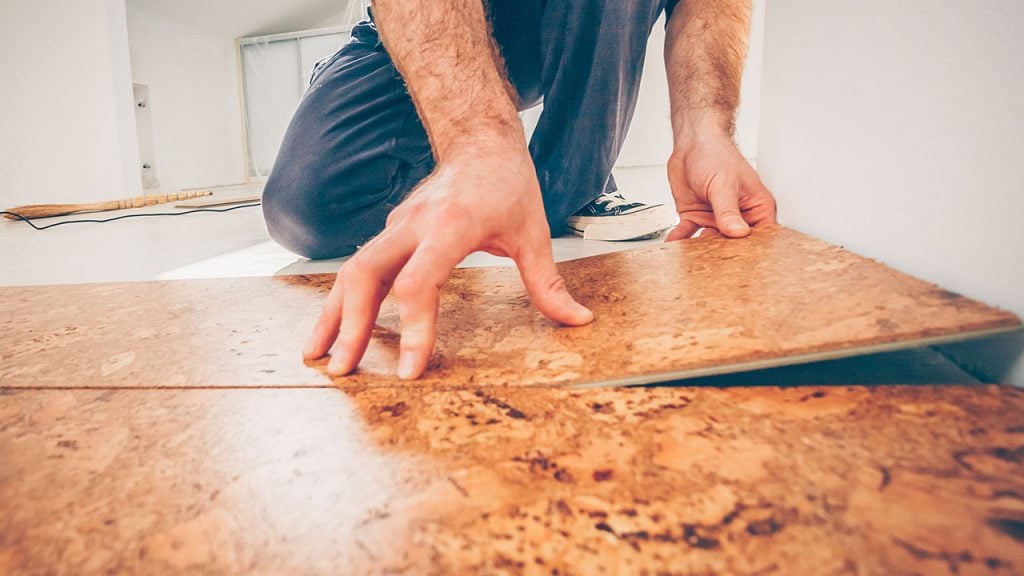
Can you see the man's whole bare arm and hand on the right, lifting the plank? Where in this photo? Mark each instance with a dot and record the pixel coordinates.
(712, 183)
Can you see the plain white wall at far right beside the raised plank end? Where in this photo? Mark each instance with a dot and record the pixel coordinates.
(895, 130)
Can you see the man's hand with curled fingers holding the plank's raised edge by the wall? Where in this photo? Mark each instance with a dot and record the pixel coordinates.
(715, 187)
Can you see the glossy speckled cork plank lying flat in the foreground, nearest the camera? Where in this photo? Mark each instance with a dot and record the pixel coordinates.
(889, 480)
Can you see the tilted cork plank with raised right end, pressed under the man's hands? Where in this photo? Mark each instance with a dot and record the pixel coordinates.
(690, 309)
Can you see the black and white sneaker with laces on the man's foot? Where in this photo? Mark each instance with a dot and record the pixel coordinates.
(613, 218)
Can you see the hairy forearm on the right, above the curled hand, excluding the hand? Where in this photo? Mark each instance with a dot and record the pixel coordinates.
(705, 51)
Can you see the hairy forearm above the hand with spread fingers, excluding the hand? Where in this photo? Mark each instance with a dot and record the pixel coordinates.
(453, 70)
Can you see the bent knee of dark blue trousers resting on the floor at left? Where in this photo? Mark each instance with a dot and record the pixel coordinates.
(353, 152)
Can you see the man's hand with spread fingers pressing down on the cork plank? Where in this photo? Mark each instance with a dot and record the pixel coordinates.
(445, 220)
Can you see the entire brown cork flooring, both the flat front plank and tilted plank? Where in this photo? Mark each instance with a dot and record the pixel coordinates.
(170, 429)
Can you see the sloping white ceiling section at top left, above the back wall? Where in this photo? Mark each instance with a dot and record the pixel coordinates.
(239, 19)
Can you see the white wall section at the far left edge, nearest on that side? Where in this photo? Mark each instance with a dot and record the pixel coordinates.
(67, 124)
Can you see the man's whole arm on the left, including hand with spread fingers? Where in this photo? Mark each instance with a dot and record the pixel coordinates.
(484, 194)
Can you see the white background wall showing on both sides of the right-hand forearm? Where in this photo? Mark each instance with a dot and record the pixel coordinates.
(650, 140)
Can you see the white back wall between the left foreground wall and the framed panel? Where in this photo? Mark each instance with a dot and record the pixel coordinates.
(195, 105)
